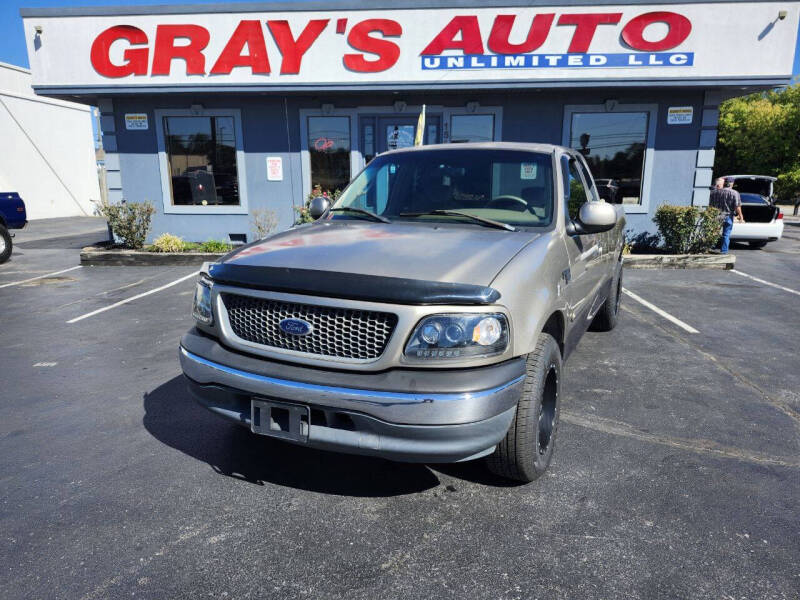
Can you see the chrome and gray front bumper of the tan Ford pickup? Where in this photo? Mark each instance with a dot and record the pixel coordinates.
(400, 425)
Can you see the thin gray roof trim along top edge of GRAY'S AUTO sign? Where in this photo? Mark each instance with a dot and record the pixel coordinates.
(331, 5)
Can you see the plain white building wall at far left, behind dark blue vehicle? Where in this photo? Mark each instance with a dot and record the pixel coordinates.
(47, 152)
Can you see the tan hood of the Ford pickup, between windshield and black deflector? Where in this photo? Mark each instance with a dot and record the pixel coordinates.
(439, 252)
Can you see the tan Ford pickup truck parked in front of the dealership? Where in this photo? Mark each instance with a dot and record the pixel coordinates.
(425, 316)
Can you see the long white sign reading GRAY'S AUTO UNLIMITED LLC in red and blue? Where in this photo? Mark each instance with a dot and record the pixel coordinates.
(425, 46)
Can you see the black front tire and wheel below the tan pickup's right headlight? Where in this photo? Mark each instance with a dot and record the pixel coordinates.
(524, 454)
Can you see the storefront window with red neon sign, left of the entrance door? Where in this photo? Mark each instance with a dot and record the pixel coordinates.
(329, 150)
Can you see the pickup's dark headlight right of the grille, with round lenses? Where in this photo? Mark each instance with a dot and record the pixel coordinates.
(458, 336)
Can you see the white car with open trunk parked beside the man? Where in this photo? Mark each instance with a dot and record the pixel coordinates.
(763, 220)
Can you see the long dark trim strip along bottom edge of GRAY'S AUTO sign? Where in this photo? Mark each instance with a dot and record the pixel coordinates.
(756, 82)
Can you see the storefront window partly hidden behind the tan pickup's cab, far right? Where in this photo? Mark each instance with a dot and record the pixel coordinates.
(614, 145)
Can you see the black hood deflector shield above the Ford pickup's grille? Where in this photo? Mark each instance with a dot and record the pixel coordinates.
(352, 286)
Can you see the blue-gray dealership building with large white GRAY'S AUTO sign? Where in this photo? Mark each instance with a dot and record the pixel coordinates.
(218, 112)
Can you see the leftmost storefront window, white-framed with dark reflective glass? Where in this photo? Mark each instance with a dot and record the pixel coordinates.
(201, 155)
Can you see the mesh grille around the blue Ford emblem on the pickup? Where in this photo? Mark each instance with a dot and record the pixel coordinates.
(339, 332)
